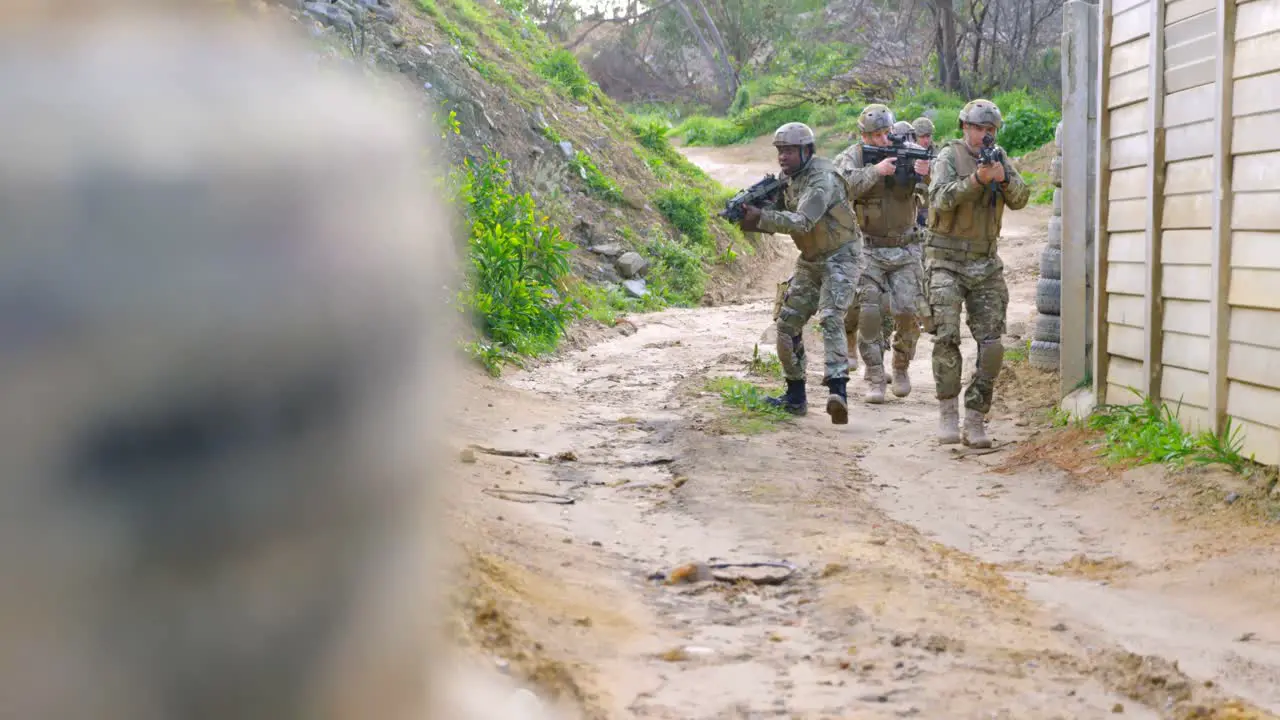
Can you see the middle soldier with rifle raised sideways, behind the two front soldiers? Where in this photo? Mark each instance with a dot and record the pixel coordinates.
(893, 276)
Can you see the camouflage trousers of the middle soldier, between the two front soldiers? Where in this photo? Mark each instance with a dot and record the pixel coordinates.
(890, 304)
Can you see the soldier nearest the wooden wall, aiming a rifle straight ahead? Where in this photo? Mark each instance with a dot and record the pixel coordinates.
(967, 203)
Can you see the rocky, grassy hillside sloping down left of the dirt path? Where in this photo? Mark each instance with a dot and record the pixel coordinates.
(546, 170)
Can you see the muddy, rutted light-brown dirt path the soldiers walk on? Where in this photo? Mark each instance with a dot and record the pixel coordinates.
(927, 584)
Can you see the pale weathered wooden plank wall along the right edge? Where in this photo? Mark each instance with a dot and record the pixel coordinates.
(1188, 263)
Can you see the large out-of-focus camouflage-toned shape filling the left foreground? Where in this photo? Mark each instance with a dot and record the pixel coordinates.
(222, 293)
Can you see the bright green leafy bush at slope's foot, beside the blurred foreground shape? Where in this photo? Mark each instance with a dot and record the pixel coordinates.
(518, 265)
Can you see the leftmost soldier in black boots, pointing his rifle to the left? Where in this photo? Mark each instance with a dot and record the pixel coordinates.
(813, 209)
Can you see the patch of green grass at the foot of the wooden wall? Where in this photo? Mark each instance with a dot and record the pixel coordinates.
(1151, 434)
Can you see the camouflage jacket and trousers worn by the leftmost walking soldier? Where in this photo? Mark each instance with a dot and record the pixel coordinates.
(813, 211)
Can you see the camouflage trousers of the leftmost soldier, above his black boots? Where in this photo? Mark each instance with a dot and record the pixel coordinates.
(825, 288)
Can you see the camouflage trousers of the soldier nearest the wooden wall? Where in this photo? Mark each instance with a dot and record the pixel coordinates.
(981, 289)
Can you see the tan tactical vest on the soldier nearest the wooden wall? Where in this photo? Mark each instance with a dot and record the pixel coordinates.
(971, 230)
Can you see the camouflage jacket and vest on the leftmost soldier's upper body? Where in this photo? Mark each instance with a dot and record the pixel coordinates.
(815, 211)
